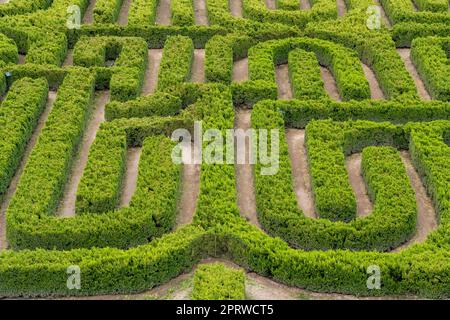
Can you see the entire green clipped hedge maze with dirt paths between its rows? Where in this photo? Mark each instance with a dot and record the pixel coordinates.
(92, 92)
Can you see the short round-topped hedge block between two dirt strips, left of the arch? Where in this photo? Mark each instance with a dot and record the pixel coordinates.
(175, 67)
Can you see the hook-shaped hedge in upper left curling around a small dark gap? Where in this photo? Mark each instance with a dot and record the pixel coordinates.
(126, 77)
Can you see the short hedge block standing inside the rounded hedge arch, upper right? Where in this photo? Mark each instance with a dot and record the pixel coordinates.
(304, 75)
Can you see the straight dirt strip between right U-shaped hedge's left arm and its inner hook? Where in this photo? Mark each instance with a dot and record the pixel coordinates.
(300, 171)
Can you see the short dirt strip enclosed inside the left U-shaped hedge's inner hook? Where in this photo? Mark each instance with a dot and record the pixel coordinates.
(131, 175)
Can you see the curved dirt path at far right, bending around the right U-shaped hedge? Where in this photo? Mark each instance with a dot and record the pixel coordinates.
(426, 215)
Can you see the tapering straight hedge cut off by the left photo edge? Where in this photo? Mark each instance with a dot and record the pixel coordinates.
(19, 114)
